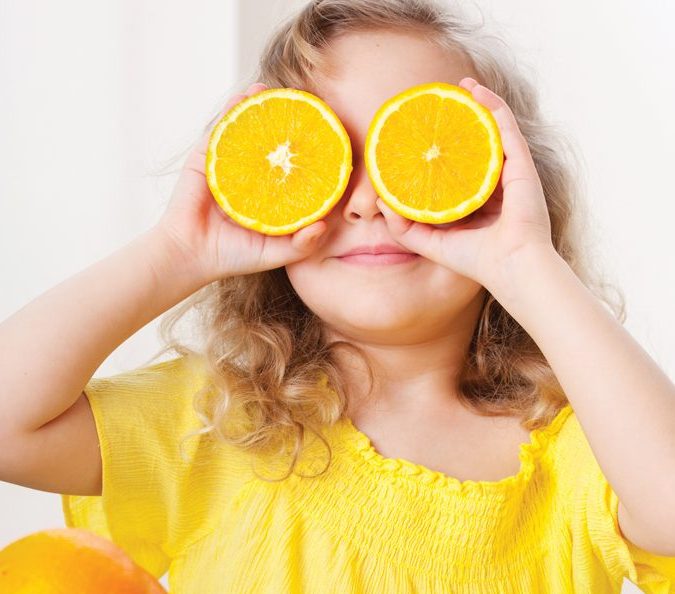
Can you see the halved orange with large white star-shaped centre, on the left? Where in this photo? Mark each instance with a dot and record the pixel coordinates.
(278, 161)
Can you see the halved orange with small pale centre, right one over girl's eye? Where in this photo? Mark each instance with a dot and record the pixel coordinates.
(433, 153)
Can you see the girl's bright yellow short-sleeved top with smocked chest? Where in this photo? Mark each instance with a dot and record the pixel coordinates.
(369, 524)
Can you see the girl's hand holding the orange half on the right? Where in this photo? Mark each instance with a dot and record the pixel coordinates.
(515, 216)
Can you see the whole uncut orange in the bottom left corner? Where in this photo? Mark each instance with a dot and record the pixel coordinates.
(71, 560)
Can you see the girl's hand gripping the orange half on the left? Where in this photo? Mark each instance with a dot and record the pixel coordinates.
(212, 243)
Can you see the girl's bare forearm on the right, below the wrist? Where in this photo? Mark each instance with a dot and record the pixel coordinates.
(624, 402)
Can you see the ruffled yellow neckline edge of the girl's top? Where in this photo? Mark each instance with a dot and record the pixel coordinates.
(359, 444)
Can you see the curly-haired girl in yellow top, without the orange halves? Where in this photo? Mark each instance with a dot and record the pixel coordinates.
(471, 420)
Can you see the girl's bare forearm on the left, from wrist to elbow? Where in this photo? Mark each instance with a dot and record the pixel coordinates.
(52, 346)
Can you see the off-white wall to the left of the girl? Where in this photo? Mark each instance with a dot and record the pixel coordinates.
(93, 98)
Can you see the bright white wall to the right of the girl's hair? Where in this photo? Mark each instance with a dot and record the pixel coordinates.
(605, 70)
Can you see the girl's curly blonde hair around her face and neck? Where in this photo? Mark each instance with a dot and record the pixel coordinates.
(263, 350)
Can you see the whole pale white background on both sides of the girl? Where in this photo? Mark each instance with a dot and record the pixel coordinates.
(94, 97)
